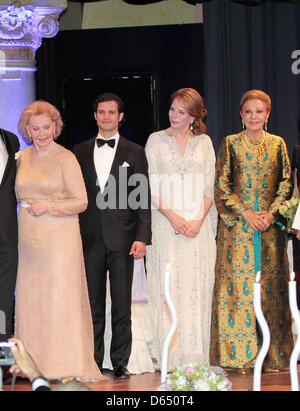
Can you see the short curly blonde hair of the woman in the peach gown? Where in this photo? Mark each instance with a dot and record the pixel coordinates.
(37, 108)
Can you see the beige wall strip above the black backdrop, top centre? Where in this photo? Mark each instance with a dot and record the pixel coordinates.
(116, 13)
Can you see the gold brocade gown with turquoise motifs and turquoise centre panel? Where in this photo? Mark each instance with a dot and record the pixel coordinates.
(257, 177)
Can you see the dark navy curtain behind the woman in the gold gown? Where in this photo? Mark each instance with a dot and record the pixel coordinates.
(251, 47)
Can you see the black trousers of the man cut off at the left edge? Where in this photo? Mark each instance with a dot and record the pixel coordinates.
(8, 274)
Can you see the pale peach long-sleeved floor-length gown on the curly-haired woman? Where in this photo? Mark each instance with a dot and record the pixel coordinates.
(53, 316)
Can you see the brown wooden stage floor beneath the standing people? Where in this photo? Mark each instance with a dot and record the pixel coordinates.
(150, 382)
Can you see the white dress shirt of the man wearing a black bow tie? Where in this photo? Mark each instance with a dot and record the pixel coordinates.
(103, 159)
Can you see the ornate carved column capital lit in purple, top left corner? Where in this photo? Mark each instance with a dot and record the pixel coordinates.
(23, 25)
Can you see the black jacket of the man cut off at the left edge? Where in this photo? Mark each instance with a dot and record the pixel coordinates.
(8, 202)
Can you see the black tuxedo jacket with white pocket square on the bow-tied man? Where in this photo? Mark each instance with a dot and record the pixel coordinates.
(119, 225)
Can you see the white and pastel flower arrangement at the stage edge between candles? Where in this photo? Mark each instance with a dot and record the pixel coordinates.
(196, 377)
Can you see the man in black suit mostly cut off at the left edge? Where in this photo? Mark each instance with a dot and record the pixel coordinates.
(9, 145)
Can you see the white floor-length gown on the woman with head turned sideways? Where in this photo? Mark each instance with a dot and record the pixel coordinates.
(192, 260)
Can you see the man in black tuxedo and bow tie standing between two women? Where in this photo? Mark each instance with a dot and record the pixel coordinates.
(116, 227)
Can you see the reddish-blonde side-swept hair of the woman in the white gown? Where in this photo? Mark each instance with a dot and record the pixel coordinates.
(193, 102)
